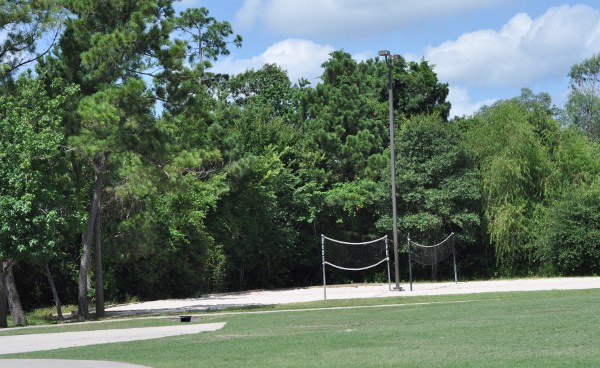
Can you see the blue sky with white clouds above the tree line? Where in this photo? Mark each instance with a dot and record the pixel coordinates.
(484, 49)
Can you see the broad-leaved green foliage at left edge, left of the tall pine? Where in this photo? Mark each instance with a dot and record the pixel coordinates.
(34, 209)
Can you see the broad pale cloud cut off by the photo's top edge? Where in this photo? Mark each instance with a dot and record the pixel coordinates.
(351, 18)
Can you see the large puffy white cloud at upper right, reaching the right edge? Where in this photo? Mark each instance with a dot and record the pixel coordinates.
(523, 51)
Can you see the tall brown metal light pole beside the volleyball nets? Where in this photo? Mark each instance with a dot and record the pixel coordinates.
(389, 60)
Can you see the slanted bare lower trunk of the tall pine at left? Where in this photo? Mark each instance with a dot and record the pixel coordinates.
(86, 254)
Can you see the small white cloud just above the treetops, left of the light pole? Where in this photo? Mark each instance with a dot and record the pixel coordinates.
(300, 58)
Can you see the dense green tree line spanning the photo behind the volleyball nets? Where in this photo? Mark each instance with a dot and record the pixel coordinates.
(129, 169)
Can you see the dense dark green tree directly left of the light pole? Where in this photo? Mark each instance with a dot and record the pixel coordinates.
(343, 124)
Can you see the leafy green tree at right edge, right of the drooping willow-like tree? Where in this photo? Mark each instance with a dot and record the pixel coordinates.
(567, 241)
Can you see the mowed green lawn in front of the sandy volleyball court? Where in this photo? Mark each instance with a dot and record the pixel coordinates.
(533, 329)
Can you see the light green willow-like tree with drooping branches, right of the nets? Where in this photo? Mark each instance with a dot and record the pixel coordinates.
(515, 167)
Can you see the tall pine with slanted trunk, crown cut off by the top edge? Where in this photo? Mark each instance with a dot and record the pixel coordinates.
(105, 49)
